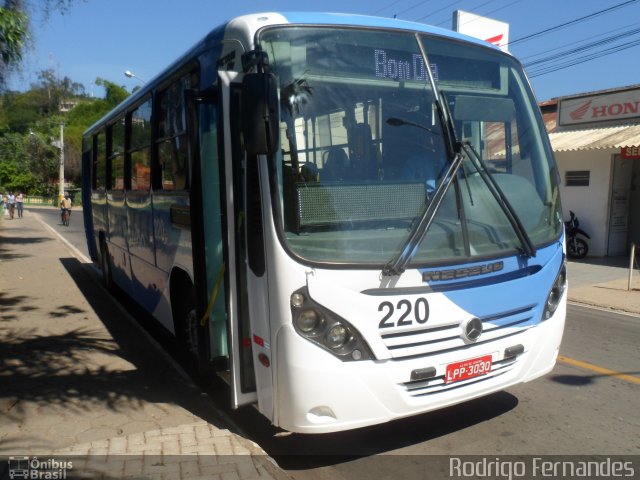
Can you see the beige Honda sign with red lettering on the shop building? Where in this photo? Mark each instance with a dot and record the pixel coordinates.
(600, 108)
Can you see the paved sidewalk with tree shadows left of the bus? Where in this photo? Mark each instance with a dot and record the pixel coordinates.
(76, 380)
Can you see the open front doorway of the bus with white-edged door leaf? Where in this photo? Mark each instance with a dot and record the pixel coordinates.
(227, 314)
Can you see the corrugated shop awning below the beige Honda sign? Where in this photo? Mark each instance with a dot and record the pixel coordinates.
(597, 138)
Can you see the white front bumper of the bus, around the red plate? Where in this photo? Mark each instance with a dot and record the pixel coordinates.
(318, 393)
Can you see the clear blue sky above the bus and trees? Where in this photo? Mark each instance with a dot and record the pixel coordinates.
(104, 38)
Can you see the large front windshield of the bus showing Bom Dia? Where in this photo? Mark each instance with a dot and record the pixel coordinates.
(363, 149)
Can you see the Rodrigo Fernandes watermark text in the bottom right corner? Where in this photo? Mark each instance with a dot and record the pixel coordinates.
(541, 467)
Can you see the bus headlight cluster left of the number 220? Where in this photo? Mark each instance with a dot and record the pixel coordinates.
(326, 329)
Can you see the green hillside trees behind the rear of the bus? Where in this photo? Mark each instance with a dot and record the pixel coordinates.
(30, 132)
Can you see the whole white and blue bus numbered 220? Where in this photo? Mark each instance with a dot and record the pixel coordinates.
(350, 219)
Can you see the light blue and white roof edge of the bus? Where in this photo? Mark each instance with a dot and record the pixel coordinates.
(249, 24)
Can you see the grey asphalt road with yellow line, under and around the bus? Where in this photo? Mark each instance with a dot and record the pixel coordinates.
(587, 406)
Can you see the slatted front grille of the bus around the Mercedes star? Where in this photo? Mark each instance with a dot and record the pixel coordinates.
(447, 338)
